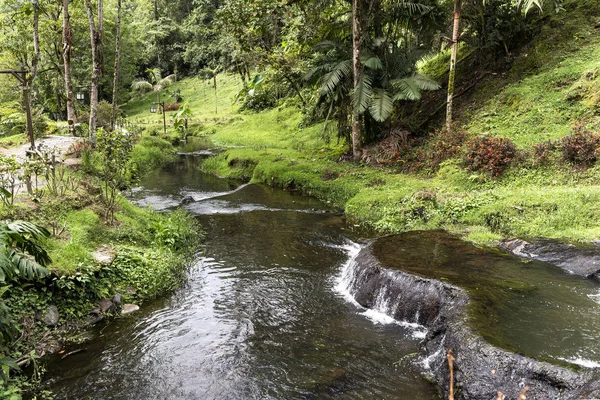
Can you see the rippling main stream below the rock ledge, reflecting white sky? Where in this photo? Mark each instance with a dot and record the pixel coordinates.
(258, 318)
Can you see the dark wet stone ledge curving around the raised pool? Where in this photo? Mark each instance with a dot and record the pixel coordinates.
(481, 370)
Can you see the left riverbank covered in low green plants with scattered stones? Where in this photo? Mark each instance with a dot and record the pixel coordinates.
(100, 269)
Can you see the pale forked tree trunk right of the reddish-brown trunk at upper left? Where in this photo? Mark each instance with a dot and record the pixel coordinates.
(96, 42)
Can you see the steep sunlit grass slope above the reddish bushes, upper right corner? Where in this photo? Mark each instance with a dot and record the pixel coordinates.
(552, 83)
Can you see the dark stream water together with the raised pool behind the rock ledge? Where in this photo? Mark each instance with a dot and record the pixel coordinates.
(264, 315)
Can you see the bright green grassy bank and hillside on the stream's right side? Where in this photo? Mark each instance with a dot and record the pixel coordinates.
(552, 84)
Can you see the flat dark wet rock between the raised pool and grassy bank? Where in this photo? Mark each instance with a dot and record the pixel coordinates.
(579, 260)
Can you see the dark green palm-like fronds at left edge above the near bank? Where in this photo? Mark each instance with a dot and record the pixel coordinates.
(21, 255)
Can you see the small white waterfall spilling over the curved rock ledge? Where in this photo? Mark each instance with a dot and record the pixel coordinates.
(385, 301)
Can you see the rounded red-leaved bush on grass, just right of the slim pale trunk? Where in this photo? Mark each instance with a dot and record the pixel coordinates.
(490, 155)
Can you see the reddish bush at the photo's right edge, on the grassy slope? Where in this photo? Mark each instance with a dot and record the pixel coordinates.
(581, 147)
